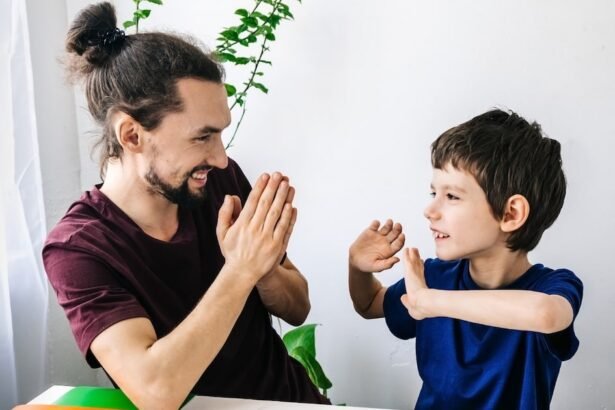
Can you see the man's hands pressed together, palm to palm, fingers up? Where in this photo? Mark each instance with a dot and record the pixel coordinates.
(254, 239)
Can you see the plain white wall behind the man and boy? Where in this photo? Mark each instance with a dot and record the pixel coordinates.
(358, 91)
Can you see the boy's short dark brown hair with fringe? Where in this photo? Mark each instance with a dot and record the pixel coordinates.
(508, 156)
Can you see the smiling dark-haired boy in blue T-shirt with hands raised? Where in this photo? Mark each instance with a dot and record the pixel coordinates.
(491, 328)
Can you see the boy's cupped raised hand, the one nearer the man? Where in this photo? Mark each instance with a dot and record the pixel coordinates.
(374, 249)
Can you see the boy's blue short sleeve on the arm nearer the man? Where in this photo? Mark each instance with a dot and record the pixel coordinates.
(397, 318)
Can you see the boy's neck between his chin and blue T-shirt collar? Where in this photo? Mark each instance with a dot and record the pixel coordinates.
(495, 272)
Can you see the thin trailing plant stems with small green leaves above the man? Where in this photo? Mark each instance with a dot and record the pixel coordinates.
(244, 44)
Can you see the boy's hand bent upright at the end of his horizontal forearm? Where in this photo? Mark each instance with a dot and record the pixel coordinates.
(414, 277)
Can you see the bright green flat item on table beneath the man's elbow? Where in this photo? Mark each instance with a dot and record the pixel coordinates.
(104, 397)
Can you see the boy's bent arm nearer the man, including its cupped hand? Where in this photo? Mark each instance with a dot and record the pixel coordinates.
(371, 252)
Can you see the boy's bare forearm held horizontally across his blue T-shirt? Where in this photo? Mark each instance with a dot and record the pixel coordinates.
(509, 309)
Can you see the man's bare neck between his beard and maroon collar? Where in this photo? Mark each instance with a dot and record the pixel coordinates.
(152, 212)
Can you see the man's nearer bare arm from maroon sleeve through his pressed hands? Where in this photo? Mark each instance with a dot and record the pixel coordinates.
(159, 373)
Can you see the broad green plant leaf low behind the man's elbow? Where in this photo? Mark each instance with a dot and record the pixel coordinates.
(301, 345)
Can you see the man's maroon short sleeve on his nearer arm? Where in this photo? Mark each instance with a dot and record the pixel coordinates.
(92, 297)
